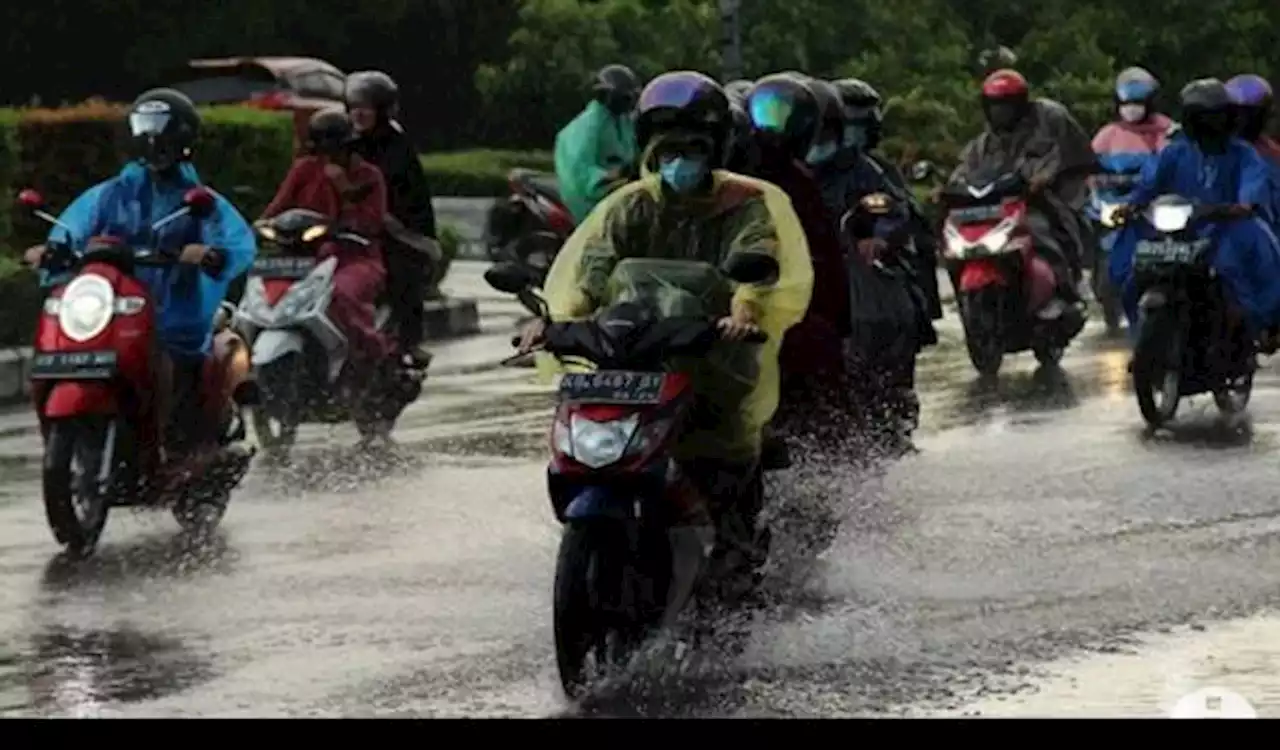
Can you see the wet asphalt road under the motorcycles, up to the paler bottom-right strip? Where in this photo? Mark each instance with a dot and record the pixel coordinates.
(1037, 522)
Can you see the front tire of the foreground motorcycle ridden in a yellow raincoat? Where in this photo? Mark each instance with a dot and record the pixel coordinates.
(587, 612)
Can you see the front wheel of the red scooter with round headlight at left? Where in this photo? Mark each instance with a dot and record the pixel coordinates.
(76, 502)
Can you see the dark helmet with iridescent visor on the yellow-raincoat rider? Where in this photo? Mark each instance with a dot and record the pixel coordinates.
(689, 103)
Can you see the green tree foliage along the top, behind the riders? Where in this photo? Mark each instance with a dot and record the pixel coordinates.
(924, 61)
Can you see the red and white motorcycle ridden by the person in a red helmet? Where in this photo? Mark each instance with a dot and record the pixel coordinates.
(1004, 290)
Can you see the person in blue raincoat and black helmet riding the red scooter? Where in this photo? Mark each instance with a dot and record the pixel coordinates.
(163, 129)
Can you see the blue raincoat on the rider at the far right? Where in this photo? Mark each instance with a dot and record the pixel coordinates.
(1247, 254)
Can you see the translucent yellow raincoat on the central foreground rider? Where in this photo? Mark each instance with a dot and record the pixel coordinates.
(637, 223)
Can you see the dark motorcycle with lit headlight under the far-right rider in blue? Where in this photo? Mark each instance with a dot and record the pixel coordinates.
(1188, 342)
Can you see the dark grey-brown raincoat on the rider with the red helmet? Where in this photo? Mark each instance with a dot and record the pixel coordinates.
(1049, 141)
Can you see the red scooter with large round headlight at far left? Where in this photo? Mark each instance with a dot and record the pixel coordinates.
(95, 376)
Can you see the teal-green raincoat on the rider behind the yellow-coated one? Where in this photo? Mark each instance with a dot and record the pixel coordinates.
(587, 150)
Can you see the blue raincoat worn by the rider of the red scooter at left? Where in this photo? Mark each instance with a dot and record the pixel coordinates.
(188, 298)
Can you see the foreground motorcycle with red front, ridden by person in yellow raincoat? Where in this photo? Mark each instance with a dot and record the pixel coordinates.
(609, 473)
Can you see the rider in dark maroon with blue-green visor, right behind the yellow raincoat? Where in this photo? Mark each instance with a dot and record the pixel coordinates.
(784, 113)
